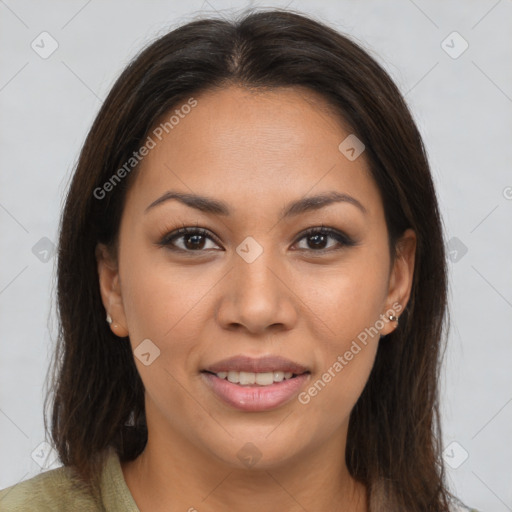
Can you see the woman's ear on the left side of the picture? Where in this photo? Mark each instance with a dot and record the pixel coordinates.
(110, 290)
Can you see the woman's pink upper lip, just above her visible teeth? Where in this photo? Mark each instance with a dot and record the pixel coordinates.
(257, 365)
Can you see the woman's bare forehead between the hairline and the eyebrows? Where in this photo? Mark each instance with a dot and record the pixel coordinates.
(253, 148)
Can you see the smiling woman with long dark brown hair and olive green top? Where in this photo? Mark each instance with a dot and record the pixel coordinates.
(251, 285)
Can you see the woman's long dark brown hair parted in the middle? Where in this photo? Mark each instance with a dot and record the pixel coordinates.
(393, 444)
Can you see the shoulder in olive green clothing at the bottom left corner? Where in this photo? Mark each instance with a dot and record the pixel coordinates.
(45, 490)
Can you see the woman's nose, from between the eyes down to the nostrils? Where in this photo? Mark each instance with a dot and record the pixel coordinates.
(257, 297)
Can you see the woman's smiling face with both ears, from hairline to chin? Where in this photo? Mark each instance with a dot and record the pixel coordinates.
(301, 312)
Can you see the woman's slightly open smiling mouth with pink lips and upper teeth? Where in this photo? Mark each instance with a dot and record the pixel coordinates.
(254, 385)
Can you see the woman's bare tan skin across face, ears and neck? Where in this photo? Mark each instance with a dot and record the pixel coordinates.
(256, 151)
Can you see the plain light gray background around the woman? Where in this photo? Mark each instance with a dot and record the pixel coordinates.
(462, 105)
